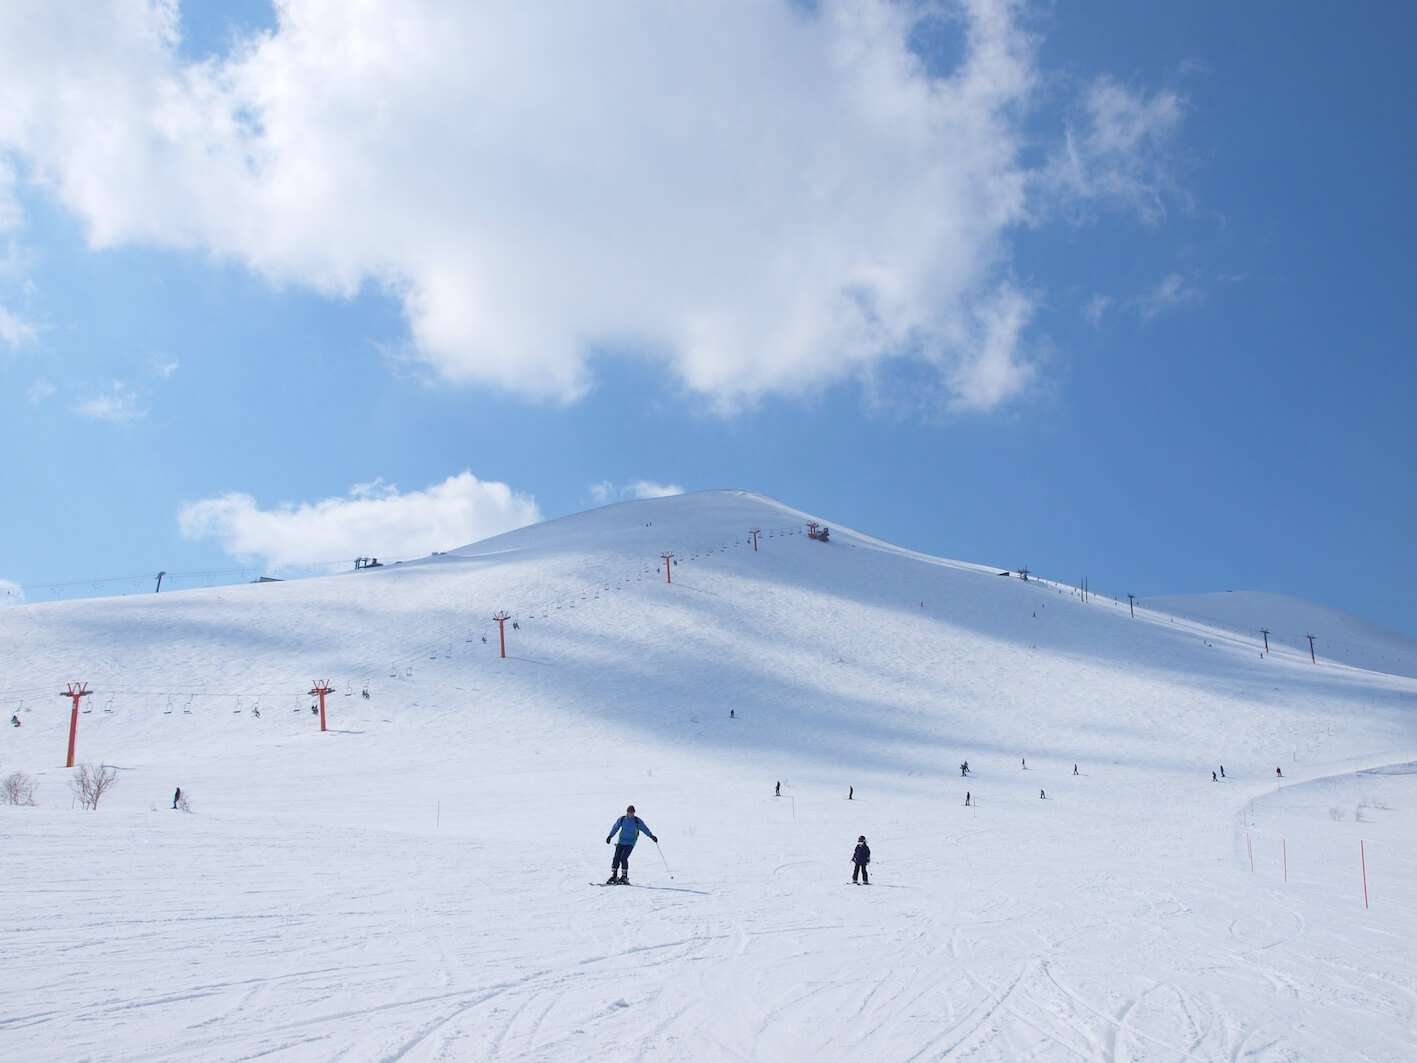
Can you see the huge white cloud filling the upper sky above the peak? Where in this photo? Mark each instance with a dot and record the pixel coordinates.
(763, 198)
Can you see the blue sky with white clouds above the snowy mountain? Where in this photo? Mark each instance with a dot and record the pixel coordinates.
(1110, 291)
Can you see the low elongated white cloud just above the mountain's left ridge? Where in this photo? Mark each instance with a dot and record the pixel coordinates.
(375, 521)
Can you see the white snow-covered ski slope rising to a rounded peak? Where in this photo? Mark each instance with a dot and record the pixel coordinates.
(414, 882)
